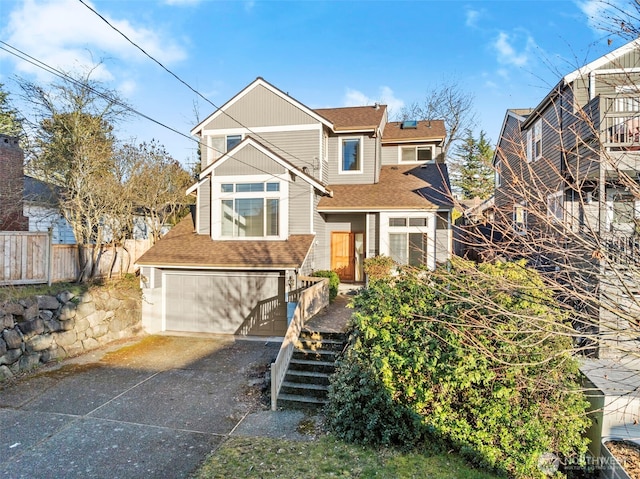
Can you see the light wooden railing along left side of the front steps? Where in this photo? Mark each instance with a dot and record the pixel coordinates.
(311, 298)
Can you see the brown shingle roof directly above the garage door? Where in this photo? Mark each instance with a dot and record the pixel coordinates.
(182, 247)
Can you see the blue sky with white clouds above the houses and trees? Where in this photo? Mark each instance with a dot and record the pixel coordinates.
(506, 54)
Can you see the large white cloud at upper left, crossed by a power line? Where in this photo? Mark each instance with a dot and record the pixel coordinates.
(64, 34)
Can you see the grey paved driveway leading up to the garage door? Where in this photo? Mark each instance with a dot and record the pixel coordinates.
(154, 408)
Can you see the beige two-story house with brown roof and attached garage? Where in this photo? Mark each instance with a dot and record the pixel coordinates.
(285, 190)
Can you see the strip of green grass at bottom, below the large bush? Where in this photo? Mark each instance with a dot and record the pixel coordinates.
(254, 457)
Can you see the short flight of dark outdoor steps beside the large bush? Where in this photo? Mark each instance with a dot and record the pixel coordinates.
(307, 380)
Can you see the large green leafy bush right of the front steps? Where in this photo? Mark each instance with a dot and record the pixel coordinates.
(474, 357)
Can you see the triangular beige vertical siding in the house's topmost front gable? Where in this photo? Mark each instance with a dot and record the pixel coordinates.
(259, 107)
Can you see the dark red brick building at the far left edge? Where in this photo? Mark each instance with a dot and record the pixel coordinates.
(11, 185)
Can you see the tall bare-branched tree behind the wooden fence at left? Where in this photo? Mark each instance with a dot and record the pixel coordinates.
(73, 149)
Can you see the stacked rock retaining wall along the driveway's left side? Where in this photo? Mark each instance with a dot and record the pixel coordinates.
(47, 328)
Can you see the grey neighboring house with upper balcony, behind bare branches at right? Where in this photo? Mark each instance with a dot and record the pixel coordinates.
(567, 192)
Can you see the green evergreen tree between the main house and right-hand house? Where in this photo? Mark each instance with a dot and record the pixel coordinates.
(474, 155)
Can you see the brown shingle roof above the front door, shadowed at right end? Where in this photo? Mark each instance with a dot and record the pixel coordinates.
(400, 187)
